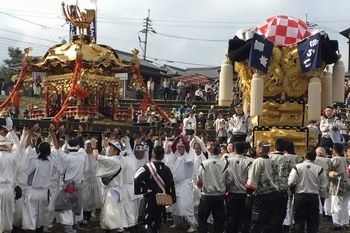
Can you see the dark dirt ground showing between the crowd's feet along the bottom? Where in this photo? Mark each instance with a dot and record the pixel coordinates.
(93, 227)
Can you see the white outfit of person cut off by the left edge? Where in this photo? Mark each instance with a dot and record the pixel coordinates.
(8, 161)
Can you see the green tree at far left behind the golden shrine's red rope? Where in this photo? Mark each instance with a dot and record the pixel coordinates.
(12, 65)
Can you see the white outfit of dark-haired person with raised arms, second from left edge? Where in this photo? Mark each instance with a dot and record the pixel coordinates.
(36, 199)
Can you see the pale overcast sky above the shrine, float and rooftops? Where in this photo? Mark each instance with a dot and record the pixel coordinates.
(188, 33)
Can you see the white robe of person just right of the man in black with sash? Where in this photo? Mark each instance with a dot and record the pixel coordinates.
(182, 168)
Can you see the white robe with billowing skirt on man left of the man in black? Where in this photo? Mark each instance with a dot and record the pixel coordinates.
(112, 212)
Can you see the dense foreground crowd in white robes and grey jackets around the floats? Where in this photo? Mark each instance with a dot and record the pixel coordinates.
(219, 183)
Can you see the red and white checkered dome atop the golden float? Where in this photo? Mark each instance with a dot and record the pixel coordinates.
(283, 30)
